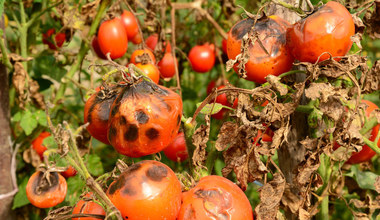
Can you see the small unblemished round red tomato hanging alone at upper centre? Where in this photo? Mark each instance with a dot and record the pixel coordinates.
(202, 58)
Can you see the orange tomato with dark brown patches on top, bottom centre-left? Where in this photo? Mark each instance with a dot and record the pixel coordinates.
(147, 190)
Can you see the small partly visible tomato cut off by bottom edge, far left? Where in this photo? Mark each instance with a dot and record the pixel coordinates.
(87, 206)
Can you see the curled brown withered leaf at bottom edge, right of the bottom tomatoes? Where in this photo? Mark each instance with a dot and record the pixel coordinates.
(270, 198)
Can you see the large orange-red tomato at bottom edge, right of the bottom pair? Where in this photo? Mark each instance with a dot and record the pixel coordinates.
(215, 197)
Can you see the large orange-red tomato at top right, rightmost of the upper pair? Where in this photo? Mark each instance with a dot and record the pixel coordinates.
(327, 30)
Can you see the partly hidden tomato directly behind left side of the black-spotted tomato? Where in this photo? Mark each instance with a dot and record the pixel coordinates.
(97, 110)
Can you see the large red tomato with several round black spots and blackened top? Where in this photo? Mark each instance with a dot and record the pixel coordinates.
(144, 119)
